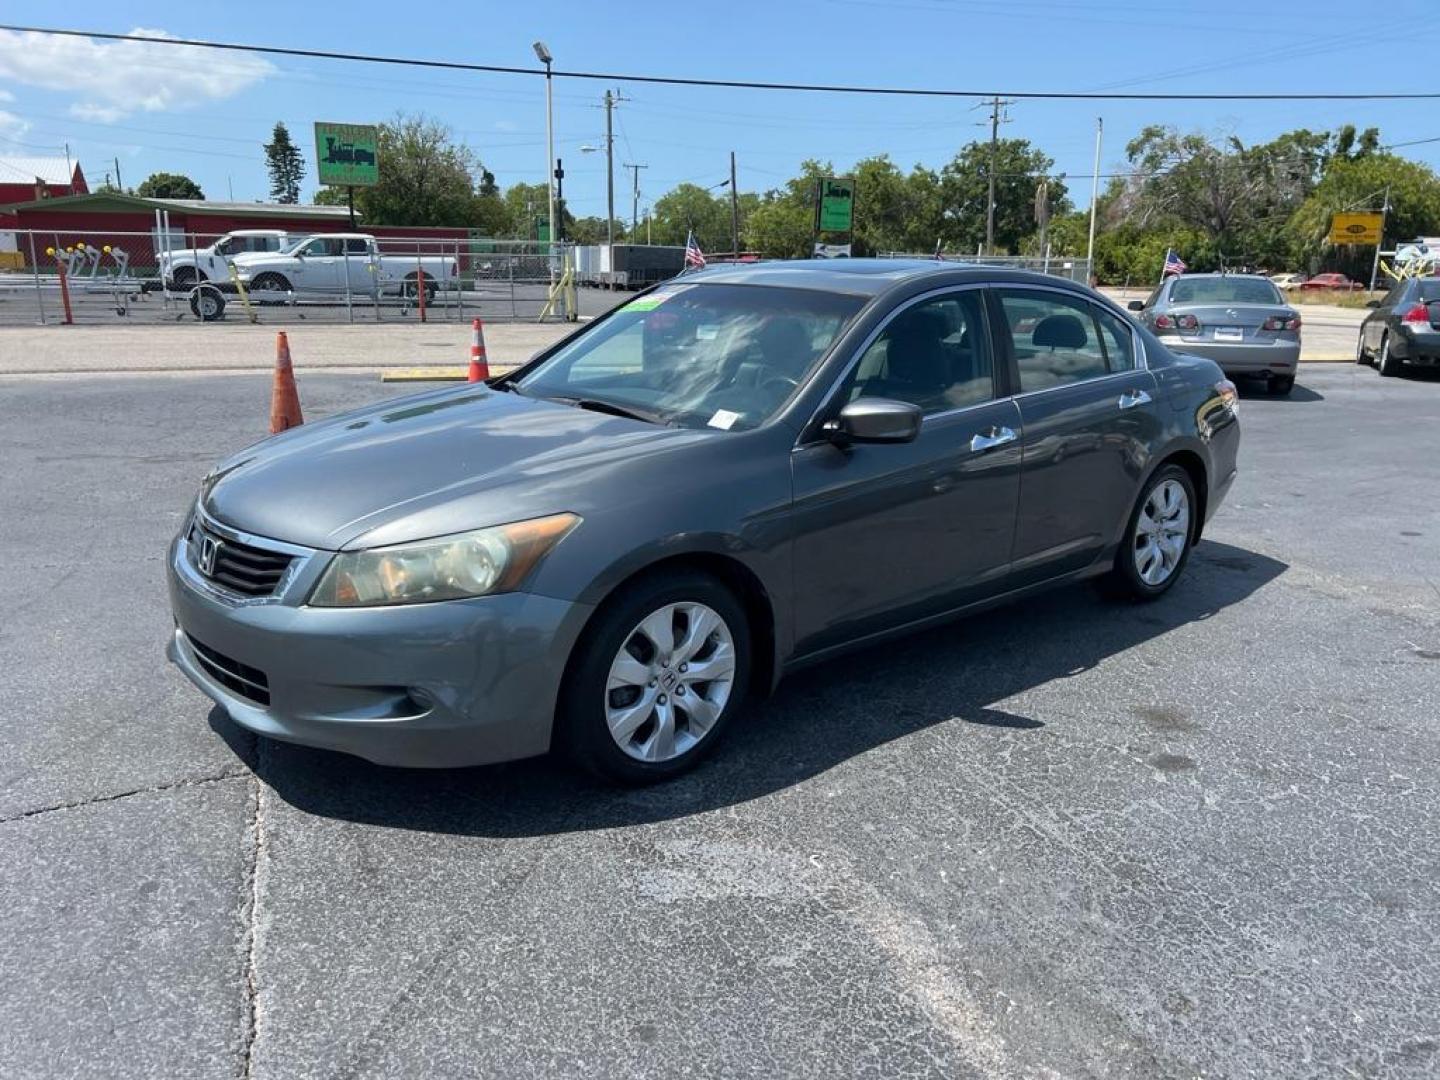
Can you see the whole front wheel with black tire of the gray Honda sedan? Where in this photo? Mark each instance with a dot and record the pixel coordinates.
(656, 679)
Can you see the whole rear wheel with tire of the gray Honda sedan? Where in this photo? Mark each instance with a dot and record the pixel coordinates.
(1158, 536)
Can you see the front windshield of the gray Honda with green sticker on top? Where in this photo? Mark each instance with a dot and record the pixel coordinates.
(699, 355)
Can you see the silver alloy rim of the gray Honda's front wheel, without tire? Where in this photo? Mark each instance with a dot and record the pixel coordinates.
(670, 682)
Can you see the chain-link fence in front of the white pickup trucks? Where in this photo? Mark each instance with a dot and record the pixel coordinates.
(267, 276)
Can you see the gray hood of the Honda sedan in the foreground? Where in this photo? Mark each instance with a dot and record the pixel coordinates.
(427, 466)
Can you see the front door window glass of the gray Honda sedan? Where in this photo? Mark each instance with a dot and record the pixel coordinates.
(934, 355)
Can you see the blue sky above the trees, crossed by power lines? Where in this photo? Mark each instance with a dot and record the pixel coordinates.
(207, 114)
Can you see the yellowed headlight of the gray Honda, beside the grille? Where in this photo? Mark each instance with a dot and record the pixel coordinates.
(449, 568)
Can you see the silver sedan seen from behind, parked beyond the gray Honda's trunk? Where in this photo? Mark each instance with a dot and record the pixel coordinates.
(1238, 320)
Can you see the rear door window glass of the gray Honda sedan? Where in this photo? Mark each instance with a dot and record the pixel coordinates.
(1055, 338)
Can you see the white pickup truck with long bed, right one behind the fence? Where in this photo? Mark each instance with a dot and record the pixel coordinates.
(322, 264)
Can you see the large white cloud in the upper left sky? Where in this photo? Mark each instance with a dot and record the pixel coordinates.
(112, 80)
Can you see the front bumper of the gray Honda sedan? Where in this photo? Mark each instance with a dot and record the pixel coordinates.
(431, 686)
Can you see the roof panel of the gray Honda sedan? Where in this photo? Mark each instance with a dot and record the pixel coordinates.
(863, 277)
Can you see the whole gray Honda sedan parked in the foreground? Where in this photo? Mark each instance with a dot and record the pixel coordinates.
(613, 549)
